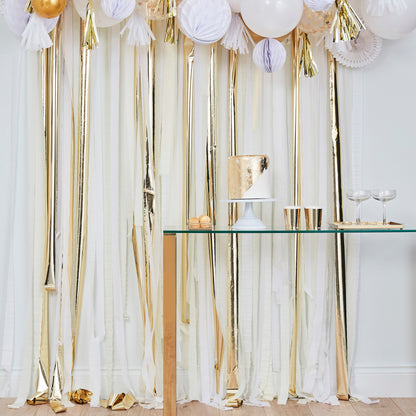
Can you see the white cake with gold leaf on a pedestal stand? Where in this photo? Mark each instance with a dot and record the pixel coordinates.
(249, 177)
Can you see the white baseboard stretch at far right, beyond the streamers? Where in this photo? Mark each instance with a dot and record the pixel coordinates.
(385, 381)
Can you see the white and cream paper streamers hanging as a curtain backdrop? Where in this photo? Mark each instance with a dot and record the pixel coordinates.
(114, 351)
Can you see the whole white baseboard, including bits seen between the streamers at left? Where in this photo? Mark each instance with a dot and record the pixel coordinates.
(371, 381)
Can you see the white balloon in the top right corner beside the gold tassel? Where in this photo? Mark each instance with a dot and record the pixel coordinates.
(391, 25)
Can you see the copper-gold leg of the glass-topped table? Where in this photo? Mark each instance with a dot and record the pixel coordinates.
(169, 324)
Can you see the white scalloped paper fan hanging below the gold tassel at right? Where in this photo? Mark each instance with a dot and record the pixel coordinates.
(358, 52)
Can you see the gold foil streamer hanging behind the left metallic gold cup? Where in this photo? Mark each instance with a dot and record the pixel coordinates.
(296, 201)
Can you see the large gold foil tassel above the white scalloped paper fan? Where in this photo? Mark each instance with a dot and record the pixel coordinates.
(347, 24)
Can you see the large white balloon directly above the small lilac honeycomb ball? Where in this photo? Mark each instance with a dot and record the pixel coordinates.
(271, 18)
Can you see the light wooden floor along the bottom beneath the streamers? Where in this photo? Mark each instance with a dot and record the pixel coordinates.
(386, 407)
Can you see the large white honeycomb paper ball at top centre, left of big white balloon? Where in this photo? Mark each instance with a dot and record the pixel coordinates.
(204, 21)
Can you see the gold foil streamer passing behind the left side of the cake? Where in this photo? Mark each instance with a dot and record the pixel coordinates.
(232, 293)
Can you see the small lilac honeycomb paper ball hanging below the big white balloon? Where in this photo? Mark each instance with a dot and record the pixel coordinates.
(269, 55)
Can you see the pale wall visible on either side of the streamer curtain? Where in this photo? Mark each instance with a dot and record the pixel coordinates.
(386, 335)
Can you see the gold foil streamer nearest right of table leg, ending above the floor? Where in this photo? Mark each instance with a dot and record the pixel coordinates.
(188, 120)
